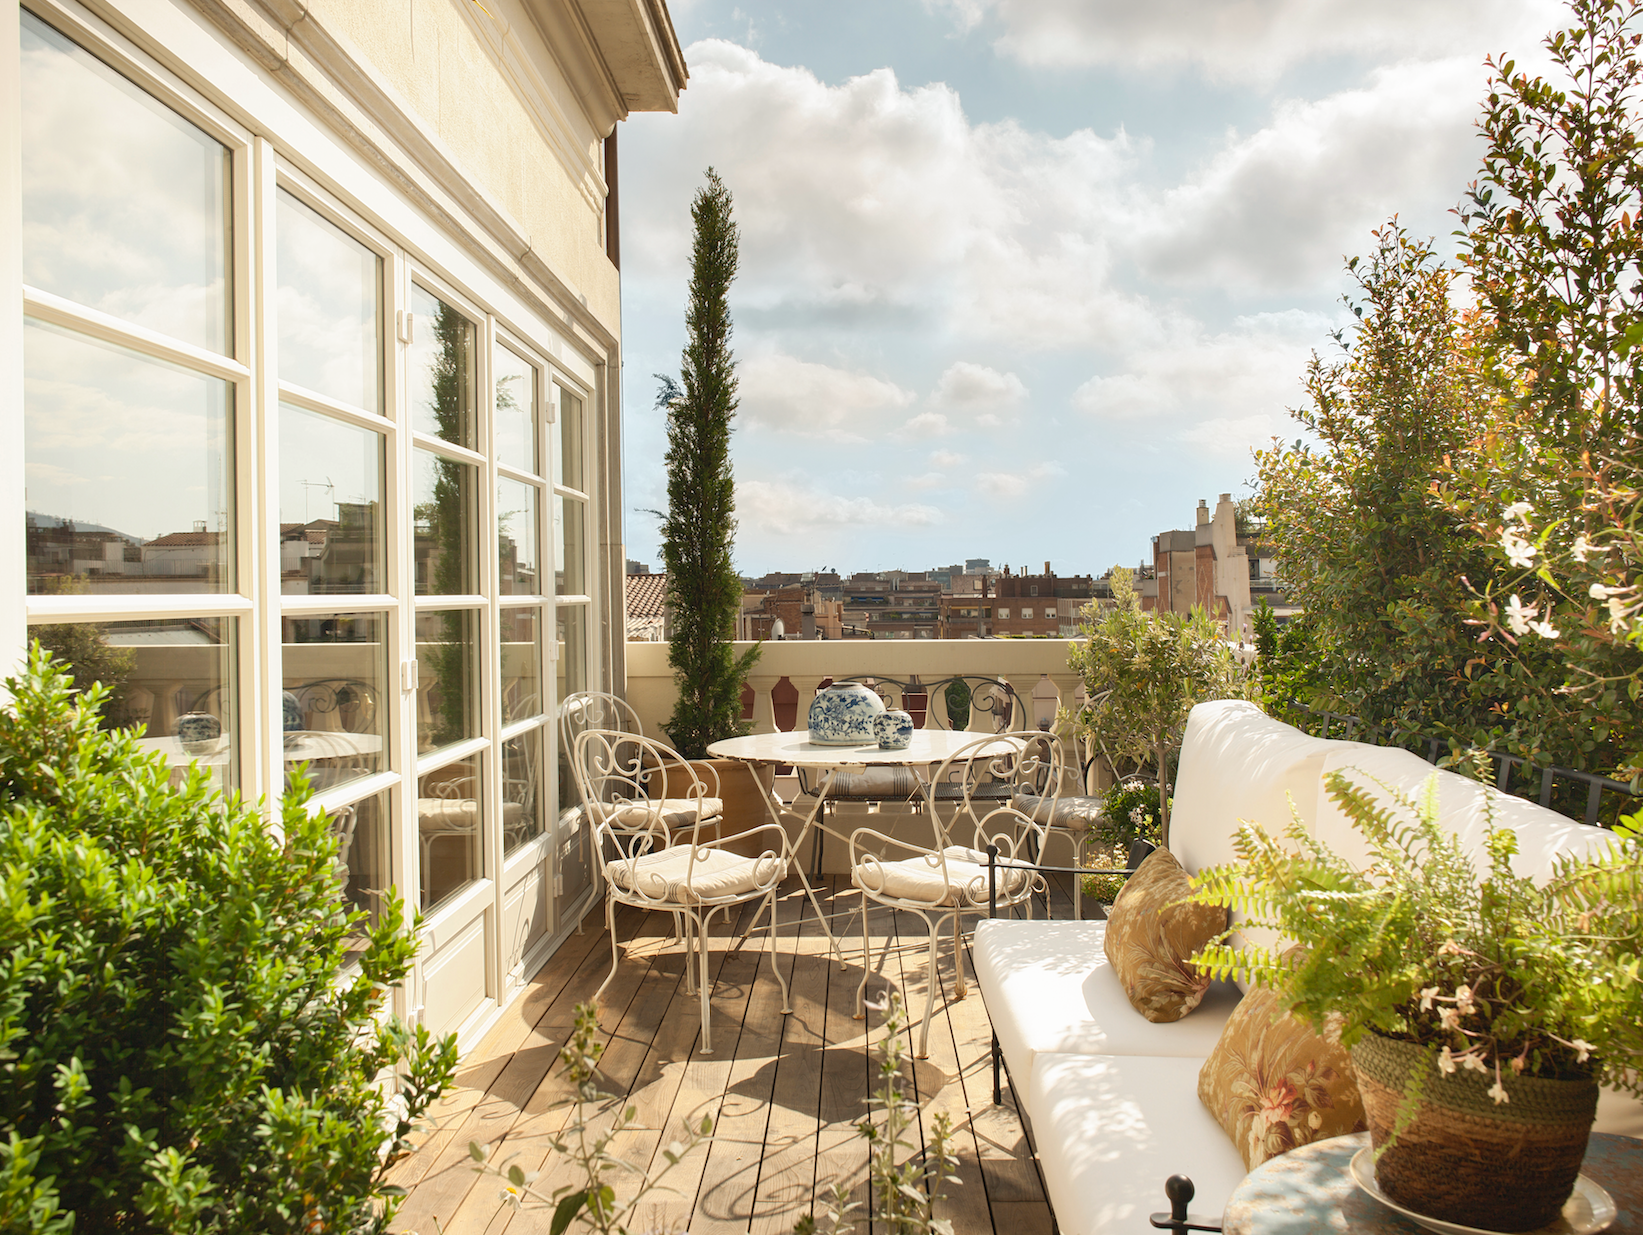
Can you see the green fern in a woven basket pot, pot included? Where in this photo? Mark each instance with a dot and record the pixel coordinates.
(1481, 1011)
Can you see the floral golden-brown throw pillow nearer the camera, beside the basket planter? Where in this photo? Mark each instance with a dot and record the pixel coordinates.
(1273, 1083)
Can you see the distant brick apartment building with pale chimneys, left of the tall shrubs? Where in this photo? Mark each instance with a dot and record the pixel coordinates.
(1212, 567)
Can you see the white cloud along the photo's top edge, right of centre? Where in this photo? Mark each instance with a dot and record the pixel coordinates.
(1246, 40)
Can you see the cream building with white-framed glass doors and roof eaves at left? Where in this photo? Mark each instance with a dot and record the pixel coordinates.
(310, 400)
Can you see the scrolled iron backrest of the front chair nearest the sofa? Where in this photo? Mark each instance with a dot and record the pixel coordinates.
(1029, 763)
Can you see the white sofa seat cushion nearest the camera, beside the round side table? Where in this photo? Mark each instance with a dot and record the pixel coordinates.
(1111, 1129)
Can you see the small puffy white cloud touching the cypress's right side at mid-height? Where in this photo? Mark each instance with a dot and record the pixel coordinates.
(812, 400)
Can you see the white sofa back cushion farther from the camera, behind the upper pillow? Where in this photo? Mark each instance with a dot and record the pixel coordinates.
(1240, 764)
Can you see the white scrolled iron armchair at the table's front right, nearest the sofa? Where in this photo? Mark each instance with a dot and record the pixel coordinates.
(946, 883)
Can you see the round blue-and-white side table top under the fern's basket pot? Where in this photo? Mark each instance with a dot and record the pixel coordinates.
(1310, 1191)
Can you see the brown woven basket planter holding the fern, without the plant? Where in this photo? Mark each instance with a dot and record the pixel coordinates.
(1465, 1159)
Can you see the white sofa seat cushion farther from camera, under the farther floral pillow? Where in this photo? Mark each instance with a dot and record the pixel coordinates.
(1049, 989)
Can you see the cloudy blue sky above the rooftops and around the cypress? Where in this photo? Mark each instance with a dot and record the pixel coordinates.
(1026, 280)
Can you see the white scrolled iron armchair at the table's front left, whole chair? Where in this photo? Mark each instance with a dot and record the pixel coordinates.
(650, 809)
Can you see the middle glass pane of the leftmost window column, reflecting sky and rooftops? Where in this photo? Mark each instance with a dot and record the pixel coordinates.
(129, 471)
